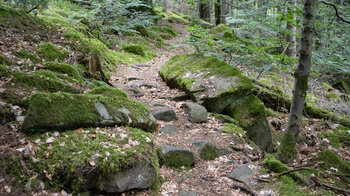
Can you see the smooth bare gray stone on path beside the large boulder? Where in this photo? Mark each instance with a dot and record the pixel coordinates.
(196, 112)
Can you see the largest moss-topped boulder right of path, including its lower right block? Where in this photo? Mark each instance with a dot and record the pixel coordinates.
(217, 86)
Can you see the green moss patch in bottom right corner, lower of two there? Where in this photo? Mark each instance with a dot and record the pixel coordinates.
(330, 159)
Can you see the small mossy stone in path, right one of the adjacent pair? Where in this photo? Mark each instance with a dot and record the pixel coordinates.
(207, 151)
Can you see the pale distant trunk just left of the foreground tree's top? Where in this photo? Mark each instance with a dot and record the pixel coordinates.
(291, 30)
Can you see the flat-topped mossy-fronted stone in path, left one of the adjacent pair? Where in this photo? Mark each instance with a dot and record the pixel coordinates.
(177, 157)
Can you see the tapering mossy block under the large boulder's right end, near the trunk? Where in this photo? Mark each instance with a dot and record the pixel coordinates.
(250, 113)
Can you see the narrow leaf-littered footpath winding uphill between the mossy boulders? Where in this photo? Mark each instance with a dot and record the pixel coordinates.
(143, 84)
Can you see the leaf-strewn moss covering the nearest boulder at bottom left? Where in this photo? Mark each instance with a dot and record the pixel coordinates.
(74, 159)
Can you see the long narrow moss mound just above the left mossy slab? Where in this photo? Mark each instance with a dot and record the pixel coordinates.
(64, 69)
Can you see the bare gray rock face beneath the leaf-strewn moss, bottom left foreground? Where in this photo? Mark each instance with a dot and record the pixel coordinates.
(138, 177)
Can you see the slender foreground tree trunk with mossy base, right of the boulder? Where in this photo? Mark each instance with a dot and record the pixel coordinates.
(286, 151)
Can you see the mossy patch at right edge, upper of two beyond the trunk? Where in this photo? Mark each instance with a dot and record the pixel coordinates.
(341, 135)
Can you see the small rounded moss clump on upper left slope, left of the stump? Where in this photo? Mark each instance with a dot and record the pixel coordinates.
(50, 52)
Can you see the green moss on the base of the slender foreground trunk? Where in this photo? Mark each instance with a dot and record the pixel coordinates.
(286, 151)
